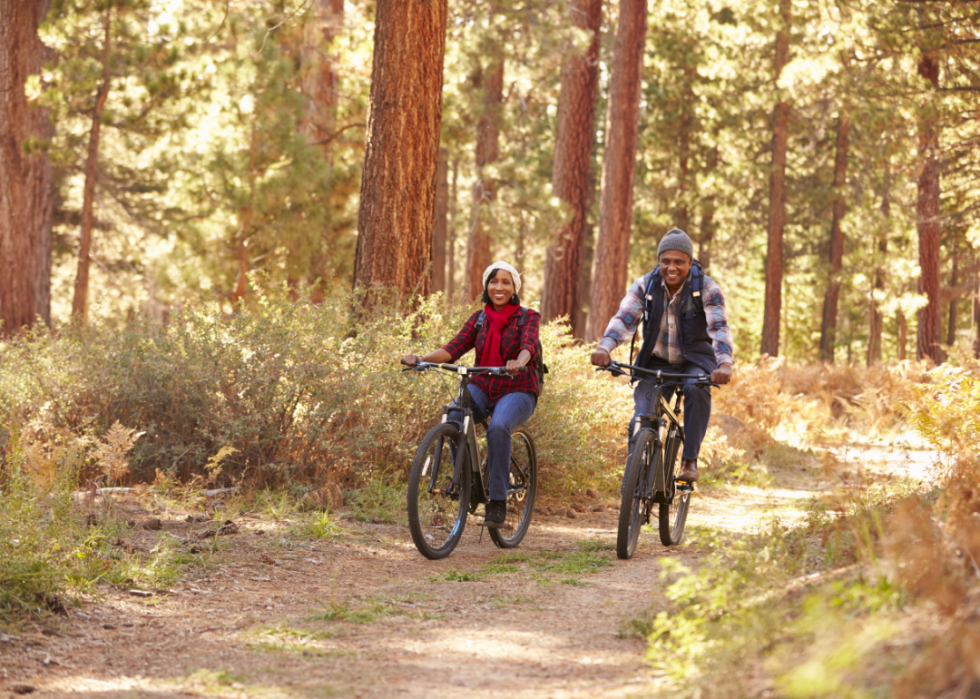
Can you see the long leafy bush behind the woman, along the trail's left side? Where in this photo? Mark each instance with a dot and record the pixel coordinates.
(289, 393)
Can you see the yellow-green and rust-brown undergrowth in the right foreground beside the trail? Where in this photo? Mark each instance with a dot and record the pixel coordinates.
(873, 595)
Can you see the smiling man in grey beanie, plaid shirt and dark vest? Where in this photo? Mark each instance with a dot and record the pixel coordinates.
(680, 336)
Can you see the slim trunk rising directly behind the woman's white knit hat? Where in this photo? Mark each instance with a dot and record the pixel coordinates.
(484, 190)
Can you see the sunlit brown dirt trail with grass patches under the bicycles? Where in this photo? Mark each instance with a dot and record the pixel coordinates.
(359, 613)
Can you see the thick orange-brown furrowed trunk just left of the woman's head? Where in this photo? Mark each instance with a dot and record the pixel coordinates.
(397, 204)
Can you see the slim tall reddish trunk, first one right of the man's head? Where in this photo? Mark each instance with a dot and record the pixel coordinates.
(777, 194)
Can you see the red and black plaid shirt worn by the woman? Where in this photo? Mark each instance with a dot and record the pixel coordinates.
(513, 339)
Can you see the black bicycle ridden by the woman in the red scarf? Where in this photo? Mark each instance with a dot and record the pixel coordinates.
(440, 490)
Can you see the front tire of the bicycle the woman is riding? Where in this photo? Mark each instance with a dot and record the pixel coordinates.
(437, 519)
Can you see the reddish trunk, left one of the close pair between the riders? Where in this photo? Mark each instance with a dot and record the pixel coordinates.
(570, 176)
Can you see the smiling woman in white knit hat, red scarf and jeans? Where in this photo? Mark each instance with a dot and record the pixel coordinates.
(507, 338)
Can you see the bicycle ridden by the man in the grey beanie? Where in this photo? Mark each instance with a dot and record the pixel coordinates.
(650, 477)
